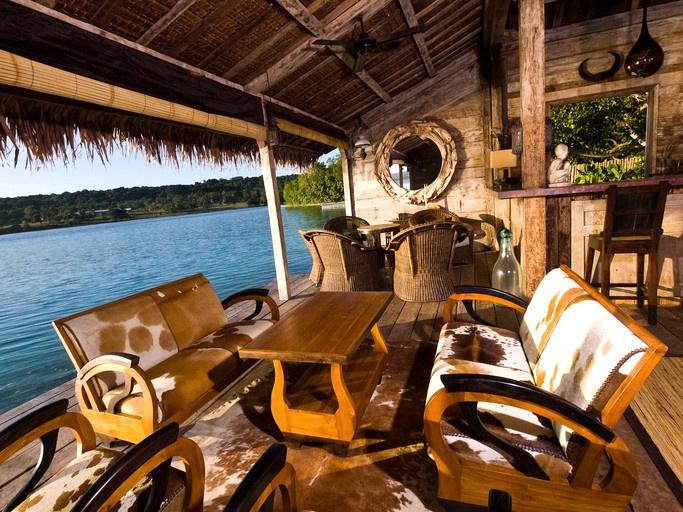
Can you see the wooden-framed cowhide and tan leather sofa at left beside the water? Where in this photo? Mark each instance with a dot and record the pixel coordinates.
(158, 356)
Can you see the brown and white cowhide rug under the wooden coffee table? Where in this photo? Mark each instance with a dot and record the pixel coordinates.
(386, 467)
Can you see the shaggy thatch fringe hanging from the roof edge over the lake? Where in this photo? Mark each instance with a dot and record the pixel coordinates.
(53, 131)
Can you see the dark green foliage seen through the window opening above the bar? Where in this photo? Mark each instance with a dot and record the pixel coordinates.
(602, 129)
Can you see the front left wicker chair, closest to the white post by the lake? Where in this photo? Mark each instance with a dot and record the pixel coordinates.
(347, 266)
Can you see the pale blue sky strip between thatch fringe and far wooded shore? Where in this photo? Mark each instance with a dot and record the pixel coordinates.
(121, 171)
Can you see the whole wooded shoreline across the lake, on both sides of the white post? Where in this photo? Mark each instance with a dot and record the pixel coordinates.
(322, 184)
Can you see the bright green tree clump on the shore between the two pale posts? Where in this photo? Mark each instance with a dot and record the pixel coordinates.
(322, 184)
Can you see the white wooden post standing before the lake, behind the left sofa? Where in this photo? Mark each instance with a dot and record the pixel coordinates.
(275, 216)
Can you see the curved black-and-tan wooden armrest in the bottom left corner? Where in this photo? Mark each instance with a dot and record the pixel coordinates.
(43, 424)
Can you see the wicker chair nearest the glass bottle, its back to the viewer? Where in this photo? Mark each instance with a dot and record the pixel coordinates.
(424, 257)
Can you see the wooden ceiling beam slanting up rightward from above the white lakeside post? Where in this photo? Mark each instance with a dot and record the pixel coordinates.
(302, 53)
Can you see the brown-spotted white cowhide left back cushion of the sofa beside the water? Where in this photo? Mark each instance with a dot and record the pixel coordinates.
(133, 325)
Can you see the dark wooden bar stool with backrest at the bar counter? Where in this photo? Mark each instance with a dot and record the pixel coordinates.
(633, 224)
